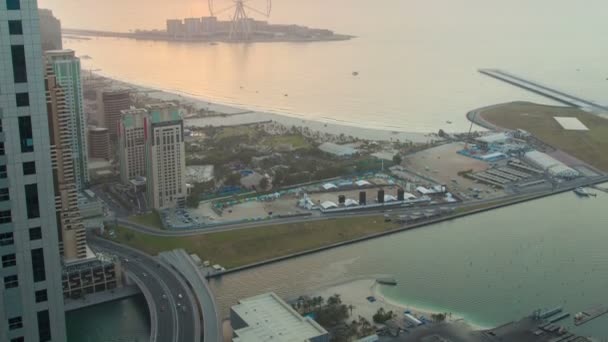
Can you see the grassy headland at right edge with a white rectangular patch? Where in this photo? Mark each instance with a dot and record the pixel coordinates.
(588, 146)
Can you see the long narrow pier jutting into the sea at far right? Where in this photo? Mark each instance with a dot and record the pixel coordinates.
(539, 89)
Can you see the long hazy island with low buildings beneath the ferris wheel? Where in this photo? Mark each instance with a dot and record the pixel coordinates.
(210, 29)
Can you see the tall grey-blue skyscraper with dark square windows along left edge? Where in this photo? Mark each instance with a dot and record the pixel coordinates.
(31, 303)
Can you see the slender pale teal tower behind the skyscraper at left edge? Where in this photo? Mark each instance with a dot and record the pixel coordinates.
(66, 67)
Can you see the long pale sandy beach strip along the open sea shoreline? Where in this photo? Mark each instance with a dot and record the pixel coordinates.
(238, 116)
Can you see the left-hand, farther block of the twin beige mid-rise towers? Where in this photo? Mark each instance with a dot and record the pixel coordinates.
(131, 146)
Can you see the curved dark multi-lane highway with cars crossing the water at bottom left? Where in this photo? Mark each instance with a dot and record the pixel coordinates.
(173, 310)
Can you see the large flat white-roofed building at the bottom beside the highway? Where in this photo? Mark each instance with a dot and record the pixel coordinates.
(267, 317)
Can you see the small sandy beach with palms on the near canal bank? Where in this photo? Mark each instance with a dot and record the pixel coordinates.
(356, 292)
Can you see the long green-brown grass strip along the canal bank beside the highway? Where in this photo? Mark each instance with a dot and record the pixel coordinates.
(245, 246)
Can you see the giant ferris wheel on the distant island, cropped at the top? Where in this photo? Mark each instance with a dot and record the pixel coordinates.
(241, 11)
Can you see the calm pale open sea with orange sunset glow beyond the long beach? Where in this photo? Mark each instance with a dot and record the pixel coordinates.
(417, 59)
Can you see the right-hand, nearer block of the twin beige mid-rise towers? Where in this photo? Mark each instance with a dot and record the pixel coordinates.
(165, 156)
